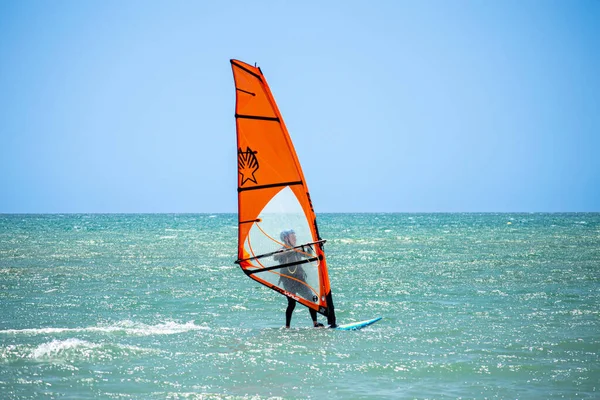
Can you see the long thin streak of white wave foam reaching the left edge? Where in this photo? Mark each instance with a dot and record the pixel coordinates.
(127, 327)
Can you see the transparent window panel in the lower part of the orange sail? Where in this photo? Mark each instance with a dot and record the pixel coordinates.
(282, 226)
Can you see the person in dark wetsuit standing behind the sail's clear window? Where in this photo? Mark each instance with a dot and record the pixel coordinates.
(293, 277)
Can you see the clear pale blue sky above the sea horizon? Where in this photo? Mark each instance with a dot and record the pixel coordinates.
(393, 106)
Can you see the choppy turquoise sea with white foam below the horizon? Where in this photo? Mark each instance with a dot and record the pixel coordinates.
(474, 306)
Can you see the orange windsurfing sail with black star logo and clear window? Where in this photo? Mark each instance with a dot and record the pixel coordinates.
(273, 201)
